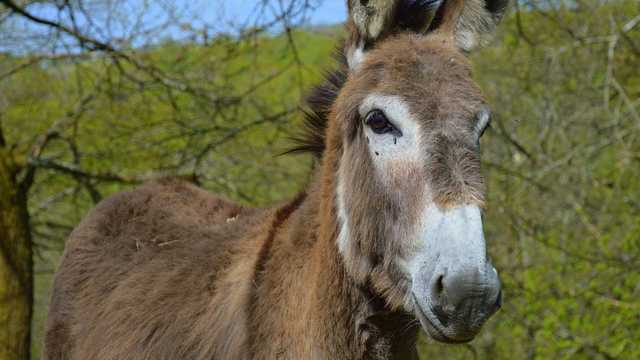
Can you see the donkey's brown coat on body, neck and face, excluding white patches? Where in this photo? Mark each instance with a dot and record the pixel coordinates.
(169, 271)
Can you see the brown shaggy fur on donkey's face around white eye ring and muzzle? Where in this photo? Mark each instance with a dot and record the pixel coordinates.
(442, 93)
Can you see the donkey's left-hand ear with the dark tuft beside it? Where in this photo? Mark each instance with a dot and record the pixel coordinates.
(373, 20)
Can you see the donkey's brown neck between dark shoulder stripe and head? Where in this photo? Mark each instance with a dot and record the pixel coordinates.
(304, 304)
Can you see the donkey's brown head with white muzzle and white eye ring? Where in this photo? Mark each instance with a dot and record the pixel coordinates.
(406, 127)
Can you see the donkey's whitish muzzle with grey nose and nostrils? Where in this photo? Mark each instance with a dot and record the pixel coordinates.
(455, 288)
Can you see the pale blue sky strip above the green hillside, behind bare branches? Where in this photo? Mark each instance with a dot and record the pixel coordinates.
(115, 19)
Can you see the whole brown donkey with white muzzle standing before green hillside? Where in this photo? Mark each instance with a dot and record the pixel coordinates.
(387, 236)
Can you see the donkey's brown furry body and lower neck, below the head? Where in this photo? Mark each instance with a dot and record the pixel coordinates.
(159, 273)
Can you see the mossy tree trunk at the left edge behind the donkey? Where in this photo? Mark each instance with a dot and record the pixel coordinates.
(16, 270)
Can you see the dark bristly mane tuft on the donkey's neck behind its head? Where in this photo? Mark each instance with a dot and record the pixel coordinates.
(316, 114)
